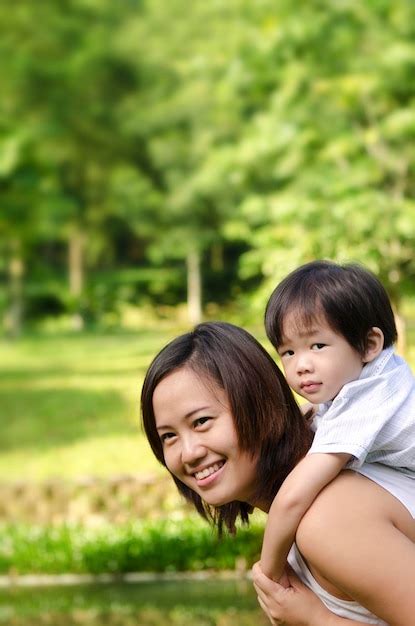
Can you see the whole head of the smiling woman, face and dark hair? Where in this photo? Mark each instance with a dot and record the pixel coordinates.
(196, 391)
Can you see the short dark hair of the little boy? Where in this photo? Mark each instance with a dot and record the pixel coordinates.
(349, 297)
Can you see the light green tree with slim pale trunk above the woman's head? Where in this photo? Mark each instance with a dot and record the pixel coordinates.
(190, 109)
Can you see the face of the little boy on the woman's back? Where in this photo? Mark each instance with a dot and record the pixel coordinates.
(317, 361)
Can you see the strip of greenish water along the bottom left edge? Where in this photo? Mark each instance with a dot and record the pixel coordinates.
(201, 603)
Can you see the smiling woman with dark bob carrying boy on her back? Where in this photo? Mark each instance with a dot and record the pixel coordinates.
(219, 415)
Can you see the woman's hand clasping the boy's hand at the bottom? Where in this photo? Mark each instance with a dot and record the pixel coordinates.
(292, 606)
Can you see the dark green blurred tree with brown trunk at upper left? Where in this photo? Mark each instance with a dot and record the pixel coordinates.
(68, 84)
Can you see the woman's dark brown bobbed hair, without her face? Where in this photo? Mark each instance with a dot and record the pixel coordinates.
(268, 421)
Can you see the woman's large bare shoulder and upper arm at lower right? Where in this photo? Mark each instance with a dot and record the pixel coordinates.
(360, 539)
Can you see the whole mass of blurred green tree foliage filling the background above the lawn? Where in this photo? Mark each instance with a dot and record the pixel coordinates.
(256, 135)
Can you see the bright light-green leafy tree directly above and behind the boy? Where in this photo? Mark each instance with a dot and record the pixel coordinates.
(324, 164)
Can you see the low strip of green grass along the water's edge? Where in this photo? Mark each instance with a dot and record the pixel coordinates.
(162, 546)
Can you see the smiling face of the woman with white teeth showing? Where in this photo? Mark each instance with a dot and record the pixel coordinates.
(199, 439)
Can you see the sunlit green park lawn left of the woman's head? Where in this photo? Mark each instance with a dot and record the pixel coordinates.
(70, 404)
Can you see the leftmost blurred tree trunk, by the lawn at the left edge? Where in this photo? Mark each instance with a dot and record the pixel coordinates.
(14, 315)
